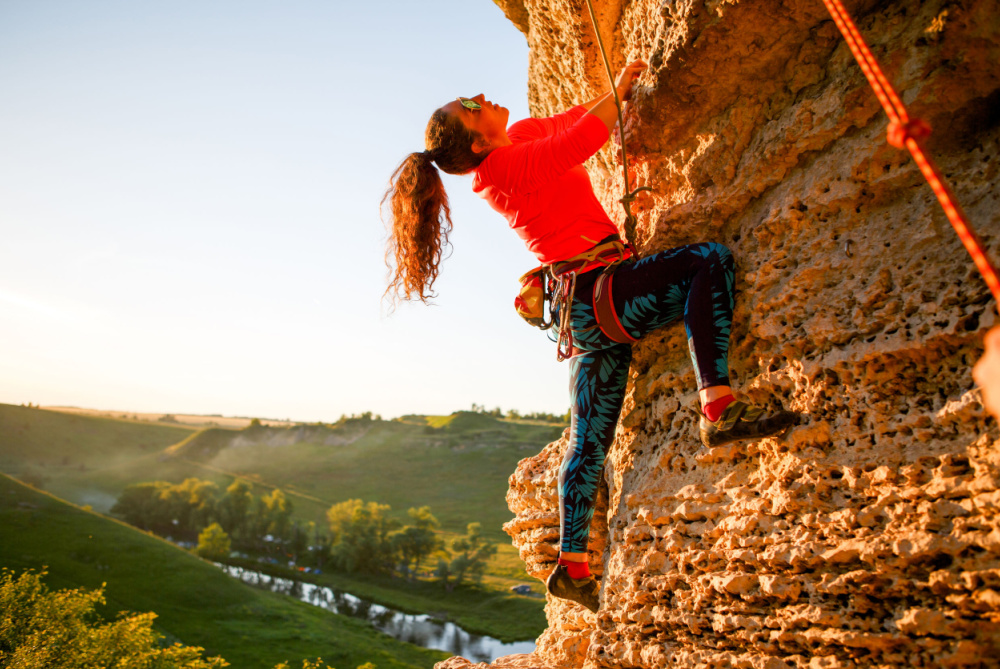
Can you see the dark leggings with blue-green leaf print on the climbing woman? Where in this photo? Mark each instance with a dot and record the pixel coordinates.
(694, 280)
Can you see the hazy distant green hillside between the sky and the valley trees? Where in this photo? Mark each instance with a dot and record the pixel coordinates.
(458, 464)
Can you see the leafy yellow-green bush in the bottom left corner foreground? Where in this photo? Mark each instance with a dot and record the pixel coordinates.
(41, 629)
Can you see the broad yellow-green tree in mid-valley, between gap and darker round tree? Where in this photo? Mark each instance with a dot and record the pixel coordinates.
(360, 535)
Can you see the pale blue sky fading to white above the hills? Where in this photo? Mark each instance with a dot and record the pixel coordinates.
(188, 202)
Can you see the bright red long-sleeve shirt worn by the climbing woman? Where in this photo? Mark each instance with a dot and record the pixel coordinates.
(539, 184)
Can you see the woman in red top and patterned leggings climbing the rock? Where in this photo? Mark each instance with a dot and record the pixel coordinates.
(532, 173)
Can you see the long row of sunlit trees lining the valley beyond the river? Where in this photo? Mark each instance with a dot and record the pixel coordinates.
(359, 537)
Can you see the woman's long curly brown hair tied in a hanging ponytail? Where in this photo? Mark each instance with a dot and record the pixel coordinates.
(419, 215)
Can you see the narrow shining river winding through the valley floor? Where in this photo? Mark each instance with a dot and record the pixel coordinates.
(420, 630)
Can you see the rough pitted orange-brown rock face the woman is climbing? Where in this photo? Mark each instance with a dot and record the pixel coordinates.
(870, 535)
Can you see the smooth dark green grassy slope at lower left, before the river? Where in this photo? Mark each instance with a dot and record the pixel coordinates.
(195, 602)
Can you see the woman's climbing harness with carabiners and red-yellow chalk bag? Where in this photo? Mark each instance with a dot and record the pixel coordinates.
(556, 284)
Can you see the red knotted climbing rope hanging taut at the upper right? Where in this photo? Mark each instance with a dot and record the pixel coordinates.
(908, 133)
